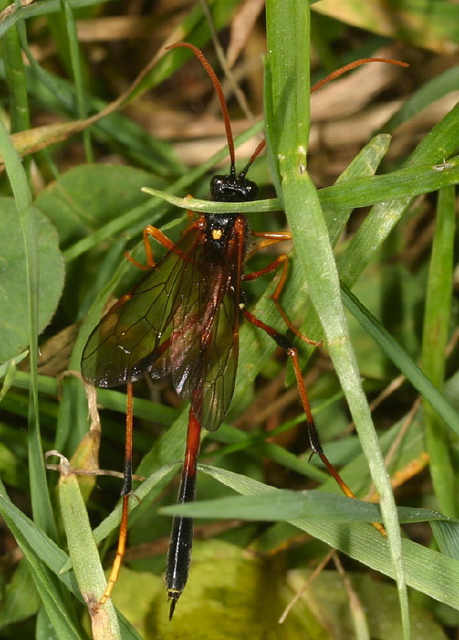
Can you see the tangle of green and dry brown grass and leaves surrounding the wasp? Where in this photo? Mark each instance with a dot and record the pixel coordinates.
(93, 110)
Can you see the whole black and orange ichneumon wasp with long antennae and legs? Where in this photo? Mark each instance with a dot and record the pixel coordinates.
(182, 320)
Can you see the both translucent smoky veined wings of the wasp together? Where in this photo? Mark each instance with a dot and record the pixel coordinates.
(181, 319)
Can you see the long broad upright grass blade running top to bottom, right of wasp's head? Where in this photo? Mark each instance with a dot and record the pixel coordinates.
(287, 113)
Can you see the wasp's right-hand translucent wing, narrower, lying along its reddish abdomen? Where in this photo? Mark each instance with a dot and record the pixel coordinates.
(204, 344)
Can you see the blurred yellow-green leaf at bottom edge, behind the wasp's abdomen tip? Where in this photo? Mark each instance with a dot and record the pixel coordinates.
(234, 594)
